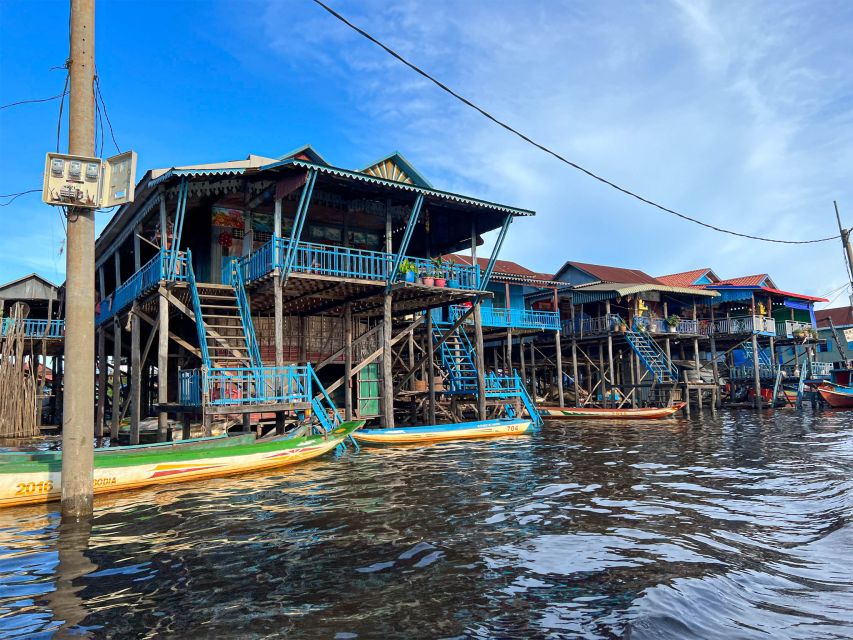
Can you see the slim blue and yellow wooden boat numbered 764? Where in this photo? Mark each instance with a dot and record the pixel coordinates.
(437, 433)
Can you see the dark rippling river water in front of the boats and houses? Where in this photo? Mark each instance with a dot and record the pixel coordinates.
(732, 527)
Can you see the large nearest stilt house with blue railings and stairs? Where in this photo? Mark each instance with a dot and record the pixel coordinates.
(266, 290)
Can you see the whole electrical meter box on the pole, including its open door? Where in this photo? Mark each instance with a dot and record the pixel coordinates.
(78, 181)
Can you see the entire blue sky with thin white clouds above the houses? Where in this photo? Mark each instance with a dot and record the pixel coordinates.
(738, 113)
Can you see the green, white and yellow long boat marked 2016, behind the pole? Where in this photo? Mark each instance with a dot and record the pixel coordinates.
(37, 477)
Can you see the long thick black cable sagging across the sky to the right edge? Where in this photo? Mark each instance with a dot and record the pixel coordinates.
(542, 147)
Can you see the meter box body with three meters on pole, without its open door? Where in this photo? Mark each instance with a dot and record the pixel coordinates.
(74, 181)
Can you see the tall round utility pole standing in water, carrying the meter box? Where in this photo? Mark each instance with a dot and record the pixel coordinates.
(78, 416)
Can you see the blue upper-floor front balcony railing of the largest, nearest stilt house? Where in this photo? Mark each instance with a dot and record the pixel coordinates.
(341, 262)
